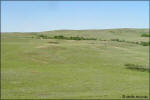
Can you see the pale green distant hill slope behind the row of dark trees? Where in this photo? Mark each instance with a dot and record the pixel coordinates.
(128, 34)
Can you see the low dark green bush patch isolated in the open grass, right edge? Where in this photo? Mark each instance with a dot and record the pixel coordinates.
(137, 67)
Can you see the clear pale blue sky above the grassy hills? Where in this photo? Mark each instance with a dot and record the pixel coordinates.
(36, 16)
